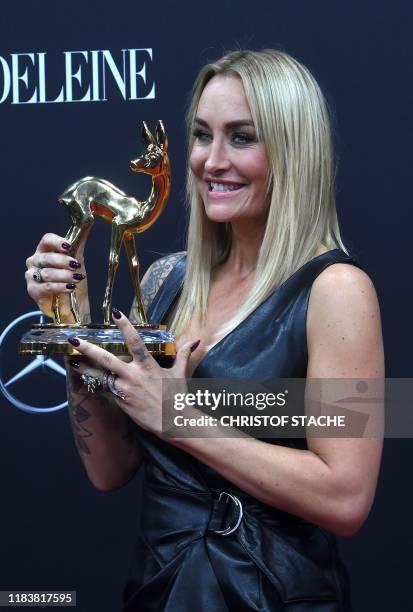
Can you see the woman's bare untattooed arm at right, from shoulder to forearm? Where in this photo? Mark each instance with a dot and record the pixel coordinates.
(333, 482)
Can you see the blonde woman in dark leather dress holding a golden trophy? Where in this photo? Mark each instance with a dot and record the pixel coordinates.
(265, 290)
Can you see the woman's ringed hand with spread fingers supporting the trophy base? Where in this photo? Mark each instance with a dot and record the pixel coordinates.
(141, 380)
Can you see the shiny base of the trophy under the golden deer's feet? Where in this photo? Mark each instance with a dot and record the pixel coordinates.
(52, 339)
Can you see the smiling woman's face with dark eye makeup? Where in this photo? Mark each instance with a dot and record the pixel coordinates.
(229, 163)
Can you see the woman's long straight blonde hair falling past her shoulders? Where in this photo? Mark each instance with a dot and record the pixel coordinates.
(291, 119)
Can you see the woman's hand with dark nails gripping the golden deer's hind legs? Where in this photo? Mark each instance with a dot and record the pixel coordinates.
(61, 275)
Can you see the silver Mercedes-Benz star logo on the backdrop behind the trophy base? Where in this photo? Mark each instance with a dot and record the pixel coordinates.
(39, 361)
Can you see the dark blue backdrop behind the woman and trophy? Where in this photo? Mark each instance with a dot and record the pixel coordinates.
(56, 531)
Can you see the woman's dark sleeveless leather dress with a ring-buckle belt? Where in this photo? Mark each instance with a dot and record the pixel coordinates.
(273, 561)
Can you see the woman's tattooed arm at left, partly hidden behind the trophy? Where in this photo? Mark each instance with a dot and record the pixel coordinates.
(104, 434)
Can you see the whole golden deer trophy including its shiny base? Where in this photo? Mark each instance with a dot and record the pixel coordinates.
(92, 197)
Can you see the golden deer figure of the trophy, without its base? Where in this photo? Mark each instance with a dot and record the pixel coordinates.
(92, 197)
